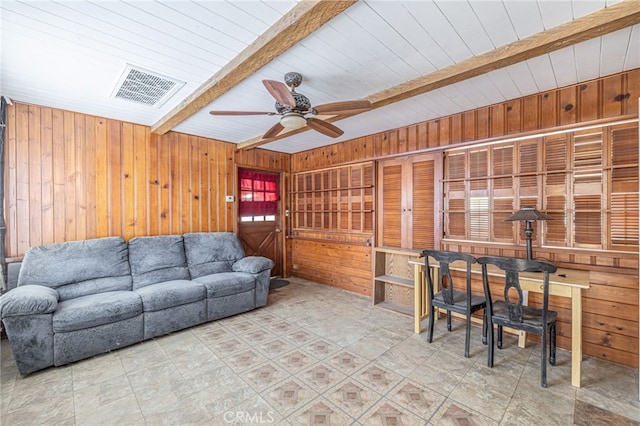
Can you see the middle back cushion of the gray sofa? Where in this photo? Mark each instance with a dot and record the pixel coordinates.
(157, 259)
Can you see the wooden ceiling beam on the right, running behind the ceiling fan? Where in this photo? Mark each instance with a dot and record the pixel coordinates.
(608, 20)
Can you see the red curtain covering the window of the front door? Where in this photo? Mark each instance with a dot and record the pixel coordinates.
(258, 193)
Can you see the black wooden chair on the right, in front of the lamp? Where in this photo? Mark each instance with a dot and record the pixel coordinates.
(510, 312)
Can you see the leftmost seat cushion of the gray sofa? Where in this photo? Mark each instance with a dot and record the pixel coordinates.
(96, 309)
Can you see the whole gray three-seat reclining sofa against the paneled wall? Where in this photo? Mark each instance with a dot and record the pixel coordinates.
(77, 299)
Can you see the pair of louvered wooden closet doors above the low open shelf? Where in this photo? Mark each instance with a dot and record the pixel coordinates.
(409, 202)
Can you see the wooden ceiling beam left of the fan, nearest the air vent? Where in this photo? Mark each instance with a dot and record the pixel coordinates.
(305, 18)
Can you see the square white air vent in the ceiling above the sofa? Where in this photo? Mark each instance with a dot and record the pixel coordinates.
(145, 87)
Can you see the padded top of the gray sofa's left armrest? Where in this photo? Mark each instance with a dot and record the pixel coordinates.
(28, 300)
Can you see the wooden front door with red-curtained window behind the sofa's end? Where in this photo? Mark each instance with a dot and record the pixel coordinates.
(259, 219)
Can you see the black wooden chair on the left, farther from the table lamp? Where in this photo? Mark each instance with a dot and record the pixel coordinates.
(462, 302)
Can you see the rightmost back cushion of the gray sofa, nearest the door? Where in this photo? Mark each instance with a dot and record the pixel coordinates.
(211, 252)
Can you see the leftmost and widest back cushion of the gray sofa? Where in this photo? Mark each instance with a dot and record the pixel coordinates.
(78, 268)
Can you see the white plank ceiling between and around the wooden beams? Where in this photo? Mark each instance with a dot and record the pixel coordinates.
(71, 54)
